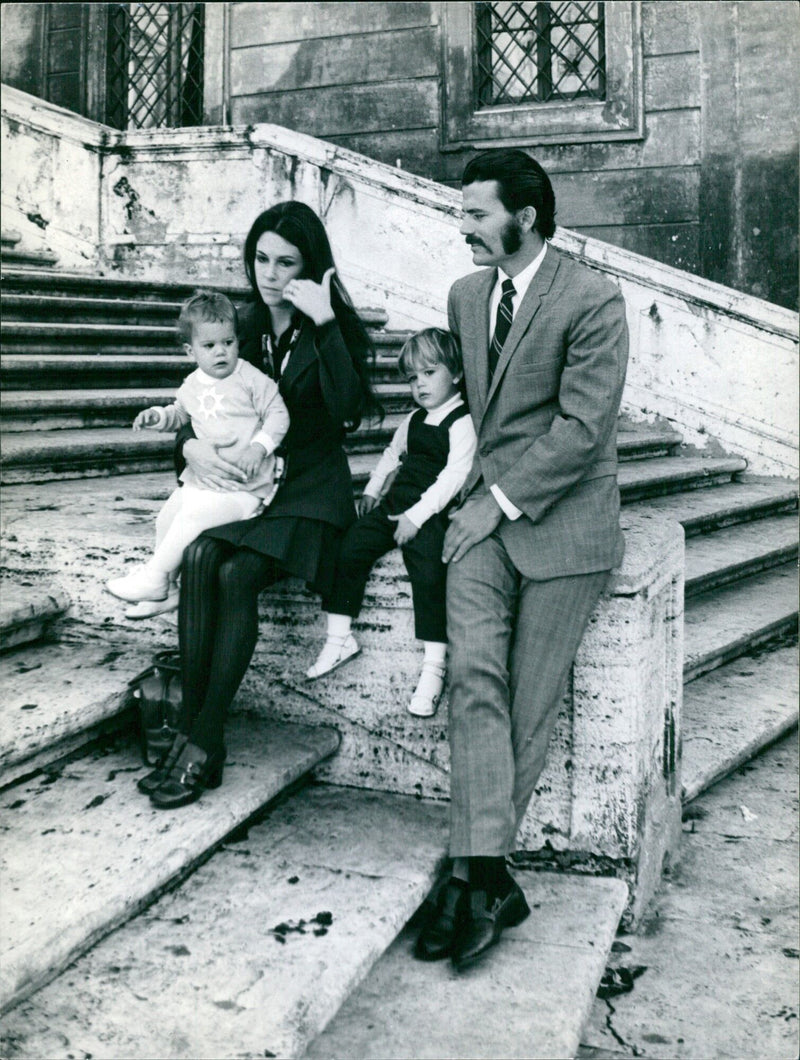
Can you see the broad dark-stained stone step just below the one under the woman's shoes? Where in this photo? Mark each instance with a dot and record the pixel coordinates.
(255, 955)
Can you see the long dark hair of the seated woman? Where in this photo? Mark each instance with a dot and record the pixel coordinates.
(300, 226)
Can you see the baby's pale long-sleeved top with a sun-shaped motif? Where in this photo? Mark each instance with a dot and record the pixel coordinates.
(243, 409)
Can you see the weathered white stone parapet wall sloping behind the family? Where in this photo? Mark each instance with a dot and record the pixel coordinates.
(176, 205)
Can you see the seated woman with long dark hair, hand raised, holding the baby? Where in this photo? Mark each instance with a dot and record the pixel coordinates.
(301, 329)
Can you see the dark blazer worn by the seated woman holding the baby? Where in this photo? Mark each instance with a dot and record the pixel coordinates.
(324, 395)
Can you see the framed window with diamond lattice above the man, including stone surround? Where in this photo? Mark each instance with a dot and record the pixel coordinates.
(532, 73)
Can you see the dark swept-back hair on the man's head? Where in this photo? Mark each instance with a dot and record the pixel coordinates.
(522, 183)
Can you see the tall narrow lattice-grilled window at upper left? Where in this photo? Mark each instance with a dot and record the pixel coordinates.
(155, 65)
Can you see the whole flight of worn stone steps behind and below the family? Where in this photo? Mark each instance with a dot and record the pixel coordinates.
(240, 926)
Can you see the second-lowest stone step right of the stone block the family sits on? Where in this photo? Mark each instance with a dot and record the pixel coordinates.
(724, 624)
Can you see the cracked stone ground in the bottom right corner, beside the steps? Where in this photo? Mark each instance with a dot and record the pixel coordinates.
(721, 946)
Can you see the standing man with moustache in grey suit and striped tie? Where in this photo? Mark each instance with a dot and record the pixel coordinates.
(531, 547)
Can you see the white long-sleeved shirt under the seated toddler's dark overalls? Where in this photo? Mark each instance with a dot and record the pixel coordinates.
(463, 447)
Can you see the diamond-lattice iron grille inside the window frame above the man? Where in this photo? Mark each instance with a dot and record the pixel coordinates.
(539, 52)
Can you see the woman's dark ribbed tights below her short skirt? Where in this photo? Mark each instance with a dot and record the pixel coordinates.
(218, 630)
